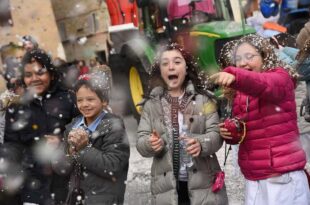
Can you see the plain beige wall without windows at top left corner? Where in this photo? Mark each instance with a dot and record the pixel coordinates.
(27, 17)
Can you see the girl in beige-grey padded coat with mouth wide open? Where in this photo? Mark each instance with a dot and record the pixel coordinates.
(176, 99)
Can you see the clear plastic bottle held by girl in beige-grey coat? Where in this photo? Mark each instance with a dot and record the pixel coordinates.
(186, 159)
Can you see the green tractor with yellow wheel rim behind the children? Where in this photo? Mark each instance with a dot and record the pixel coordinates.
(131, 59)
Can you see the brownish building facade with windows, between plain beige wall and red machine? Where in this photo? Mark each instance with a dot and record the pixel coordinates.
(83, 27)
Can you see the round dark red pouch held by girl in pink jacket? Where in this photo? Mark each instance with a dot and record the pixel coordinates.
(237, 129)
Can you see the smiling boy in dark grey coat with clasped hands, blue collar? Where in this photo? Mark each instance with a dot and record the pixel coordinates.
(97, 144)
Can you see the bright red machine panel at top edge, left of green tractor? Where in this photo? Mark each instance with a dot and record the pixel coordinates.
(123, 11)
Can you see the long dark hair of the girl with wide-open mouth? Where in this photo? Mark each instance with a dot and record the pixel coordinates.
(192, 70)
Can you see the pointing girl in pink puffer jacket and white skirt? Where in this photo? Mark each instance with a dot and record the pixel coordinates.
(270, 157)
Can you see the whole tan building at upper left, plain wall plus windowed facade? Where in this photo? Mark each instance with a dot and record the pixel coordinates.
(70, 29)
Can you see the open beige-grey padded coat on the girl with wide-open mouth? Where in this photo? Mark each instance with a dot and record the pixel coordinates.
(202, 119)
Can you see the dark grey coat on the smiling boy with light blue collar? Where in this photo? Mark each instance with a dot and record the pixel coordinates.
(104, 164)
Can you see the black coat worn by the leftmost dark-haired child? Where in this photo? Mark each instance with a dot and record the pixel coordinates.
(26, 125)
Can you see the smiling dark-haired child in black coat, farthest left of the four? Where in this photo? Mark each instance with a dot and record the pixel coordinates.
(39, 120)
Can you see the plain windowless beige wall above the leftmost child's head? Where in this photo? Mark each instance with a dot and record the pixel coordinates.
(36, 18)
